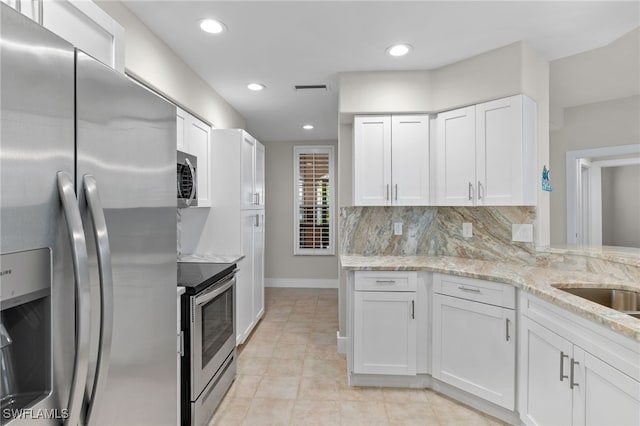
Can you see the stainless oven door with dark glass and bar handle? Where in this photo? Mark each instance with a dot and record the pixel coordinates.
(212, 331)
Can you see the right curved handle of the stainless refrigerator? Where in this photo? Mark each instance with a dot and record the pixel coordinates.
(103, 251)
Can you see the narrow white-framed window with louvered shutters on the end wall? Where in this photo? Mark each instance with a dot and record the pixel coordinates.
(313, 203)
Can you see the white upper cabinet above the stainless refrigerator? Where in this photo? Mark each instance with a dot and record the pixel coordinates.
(82, 23)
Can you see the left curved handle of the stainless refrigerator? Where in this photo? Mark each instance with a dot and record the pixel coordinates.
(83, 295)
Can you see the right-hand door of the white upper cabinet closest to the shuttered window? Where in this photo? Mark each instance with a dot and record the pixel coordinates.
(410, 160)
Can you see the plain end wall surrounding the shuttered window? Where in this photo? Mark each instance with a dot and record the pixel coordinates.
(280, 263)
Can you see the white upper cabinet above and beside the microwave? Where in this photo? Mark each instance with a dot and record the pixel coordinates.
(194, 137)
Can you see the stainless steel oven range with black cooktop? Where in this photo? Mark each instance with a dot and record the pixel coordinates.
(209, 343)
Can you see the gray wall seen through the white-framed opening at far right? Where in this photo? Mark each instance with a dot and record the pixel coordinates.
(621, 206)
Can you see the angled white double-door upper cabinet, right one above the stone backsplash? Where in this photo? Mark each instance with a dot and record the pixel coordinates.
(486, 154)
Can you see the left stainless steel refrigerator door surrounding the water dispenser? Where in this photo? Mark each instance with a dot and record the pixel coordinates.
(36, 142)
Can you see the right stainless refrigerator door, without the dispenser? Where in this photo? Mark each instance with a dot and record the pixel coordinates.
(126, 141)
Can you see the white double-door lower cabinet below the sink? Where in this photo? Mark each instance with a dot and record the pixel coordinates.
(563, 384)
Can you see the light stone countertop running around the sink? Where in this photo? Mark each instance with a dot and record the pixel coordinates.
(535, 280)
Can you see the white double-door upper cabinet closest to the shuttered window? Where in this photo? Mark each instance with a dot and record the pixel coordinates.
(391, 160)
